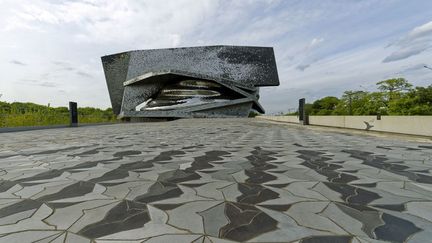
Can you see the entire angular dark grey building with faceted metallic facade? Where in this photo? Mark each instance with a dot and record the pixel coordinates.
(208, 81)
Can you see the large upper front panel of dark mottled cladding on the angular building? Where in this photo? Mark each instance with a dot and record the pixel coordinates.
(248, 66)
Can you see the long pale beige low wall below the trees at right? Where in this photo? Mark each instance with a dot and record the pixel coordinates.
(414, 125)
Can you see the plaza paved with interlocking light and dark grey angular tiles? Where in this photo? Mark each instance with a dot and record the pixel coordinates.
(212, 180)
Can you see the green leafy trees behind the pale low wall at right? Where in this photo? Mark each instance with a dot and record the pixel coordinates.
(394, 97)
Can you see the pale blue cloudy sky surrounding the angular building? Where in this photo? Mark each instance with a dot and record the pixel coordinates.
(50, 49)
